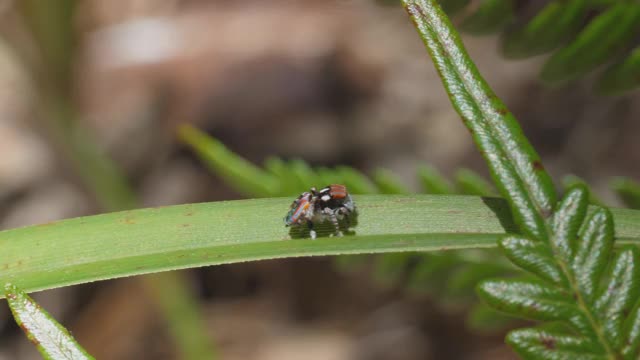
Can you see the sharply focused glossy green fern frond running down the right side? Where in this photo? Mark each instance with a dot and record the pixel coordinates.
(578, 282)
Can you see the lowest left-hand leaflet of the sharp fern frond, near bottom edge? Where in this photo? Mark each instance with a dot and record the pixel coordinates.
(535, 343)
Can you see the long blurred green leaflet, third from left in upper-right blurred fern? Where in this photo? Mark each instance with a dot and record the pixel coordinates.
(608, 33)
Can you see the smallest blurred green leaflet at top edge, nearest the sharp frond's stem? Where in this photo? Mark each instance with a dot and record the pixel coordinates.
(490, 16)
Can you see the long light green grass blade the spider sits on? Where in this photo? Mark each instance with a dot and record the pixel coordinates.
(151, 240)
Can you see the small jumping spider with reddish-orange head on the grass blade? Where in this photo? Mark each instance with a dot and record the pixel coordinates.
(332, 203)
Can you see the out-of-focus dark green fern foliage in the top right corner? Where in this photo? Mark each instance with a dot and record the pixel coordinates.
(581, 35)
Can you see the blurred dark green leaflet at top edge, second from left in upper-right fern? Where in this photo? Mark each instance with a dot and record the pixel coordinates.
(556, 23)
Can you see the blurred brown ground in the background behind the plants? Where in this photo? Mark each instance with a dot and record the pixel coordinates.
(331, 82)
